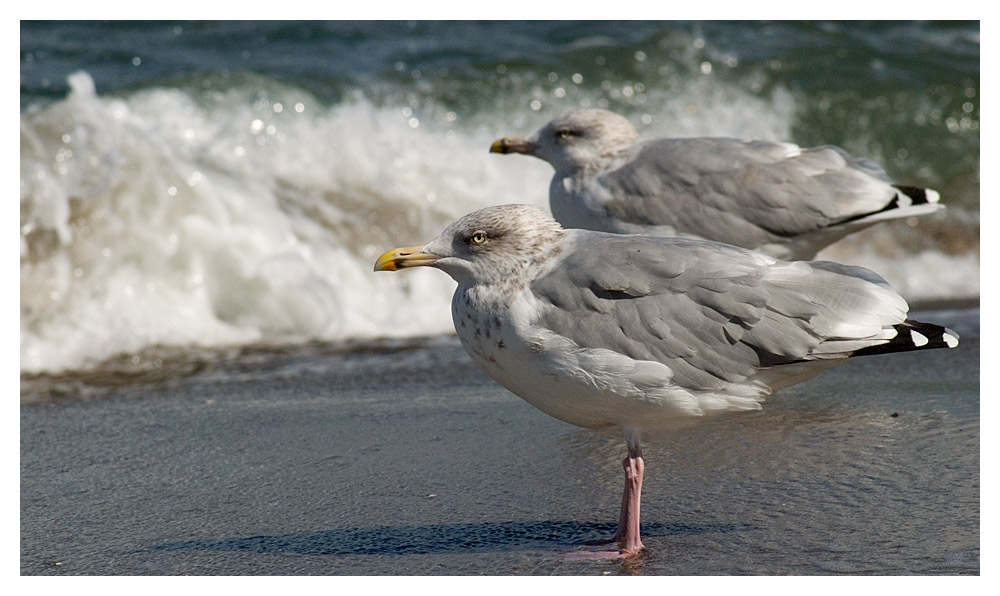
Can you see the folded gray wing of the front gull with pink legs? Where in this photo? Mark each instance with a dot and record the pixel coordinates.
(714, 314)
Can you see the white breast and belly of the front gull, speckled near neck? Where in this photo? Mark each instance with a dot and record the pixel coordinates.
(591, 388)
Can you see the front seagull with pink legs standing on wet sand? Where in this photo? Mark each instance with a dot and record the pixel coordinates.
(605, 330)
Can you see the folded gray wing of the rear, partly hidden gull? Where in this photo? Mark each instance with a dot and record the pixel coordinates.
(744, 192)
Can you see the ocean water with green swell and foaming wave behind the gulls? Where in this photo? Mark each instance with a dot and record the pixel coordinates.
(196, 187)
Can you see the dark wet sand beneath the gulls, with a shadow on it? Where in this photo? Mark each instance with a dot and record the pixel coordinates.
(411, 462)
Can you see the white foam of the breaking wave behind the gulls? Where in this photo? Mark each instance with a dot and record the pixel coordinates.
(169, 217)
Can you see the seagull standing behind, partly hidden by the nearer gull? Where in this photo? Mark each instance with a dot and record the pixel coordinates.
(776, 198)
